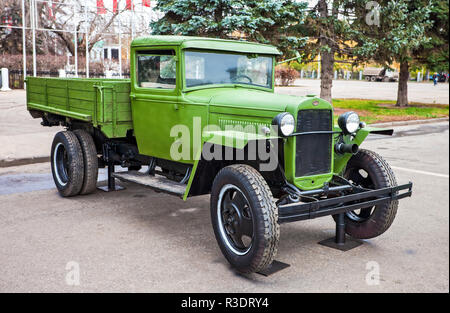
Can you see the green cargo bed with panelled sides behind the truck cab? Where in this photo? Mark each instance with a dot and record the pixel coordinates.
(103, 102)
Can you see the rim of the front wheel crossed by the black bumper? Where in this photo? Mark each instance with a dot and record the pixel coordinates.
(361, 178)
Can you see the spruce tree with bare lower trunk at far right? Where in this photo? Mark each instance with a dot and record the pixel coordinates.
(401, 29)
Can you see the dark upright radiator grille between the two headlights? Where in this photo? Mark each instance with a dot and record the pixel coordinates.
(313, 152)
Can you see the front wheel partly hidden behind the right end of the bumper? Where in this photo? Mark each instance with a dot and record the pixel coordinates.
(370, 222)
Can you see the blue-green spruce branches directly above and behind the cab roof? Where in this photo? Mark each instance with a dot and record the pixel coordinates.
(271, 21)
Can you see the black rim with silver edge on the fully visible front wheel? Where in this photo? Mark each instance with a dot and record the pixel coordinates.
(235, 220)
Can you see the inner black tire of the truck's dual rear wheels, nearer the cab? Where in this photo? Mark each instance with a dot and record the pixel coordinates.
(90, 161)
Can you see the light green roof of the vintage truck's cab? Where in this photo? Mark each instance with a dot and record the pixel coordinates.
(187, 42)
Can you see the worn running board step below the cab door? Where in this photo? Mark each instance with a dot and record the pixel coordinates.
(156, 182)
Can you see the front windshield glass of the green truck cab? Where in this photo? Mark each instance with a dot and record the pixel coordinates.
(207, 68)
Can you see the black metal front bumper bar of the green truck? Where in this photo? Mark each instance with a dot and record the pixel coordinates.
(357, 199)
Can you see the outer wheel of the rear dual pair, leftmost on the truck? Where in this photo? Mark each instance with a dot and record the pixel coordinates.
(67, 164)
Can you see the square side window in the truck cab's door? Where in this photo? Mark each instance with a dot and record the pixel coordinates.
(156, 69)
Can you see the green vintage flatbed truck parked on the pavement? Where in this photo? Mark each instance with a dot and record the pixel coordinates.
(199, 116)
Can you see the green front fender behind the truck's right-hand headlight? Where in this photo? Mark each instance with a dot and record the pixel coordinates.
(341, 160)
